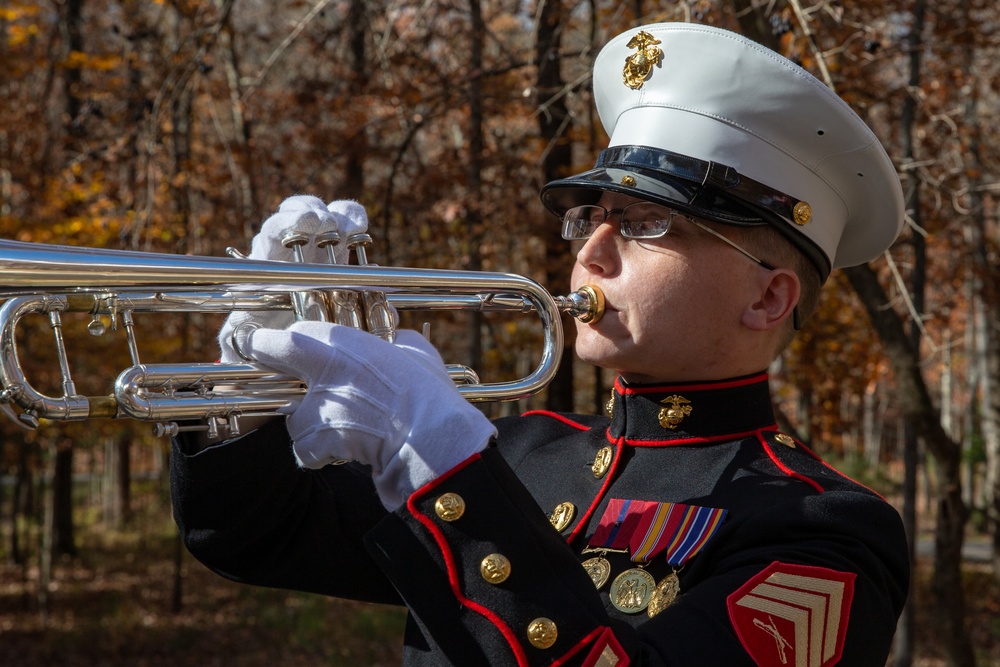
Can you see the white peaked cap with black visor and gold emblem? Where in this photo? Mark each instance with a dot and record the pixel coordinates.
(716, 125)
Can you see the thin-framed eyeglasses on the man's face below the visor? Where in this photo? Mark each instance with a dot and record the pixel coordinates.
(641, 220)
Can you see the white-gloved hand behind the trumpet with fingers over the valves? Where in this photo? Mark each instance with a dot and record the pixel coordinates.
(306, 215)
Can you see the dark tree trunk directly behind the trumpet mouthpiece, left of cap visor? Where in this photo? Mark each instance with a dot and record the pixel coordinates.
(554, 124)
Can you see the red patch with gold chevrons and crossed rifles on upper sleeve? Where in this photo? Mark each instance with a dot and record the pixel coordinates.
(793, 615)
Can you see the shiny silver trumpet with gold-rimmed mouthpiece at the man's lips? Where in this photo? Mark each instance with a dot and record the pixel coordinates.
(51, 280)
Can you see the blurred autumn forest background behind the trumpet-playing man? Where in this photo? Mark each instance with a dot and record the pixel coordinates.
(177, 126)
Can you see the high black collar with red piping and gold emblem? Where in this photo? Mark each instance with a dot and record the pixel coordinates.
(694, 412)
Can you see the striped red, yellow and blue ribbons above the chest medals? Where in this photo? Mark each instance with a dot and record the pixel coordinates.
(649, 528)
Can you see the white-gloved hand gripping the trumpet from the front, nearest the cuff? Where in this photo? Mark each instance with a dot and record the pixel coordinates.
(391, 406)
